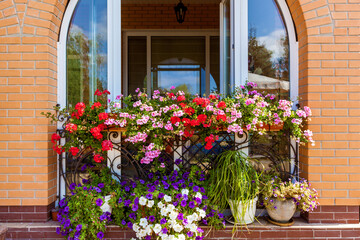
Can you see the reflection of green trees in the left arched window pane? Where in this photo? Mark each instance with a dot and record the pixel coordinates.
(79, 67)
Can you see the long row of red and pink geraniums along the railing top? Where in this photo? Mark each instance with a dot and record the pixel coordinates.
(152, 120)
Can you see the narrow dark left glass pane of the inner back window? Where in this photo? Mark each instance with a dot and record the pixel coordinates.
(137, 63)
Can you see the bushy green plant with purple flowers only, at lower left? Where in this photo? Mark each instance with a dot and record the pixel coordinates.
(80, 215)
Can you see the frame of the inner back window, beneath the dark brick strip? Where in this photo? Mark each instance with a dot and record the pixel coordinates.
(165, 33)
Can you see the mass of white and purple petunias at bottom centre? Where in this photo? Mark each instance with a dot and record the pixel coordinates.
(167, 207)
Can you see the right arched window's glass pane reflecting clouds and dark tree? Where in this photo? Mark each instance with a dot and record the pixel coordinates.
(268, 48)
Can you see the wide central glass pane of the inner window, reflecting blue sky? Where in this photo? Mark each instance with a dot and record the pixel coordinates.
(179, 62)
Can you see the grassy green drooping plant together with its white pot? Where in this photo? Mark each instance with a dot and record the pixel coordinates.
(235, 182)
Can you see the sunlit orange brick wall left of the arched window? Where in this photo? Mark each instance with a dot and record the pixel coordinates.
(28, 80)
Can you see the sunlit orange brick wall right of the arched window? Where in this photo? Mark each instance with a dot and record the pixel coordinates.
(328, 33)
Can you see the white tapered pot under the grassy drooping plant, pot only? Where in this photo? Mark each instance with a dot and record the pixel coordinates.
(249, 215)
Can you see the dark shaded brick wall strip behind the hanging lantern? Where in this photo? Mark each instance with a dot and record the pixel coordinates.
(162, 16)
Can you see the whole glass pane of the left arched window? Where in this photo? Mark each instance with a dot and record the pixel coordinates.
(86, 51)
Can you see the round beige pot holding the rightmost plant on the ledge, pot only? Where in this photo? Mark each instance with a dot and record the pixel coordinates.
(283, 212)
